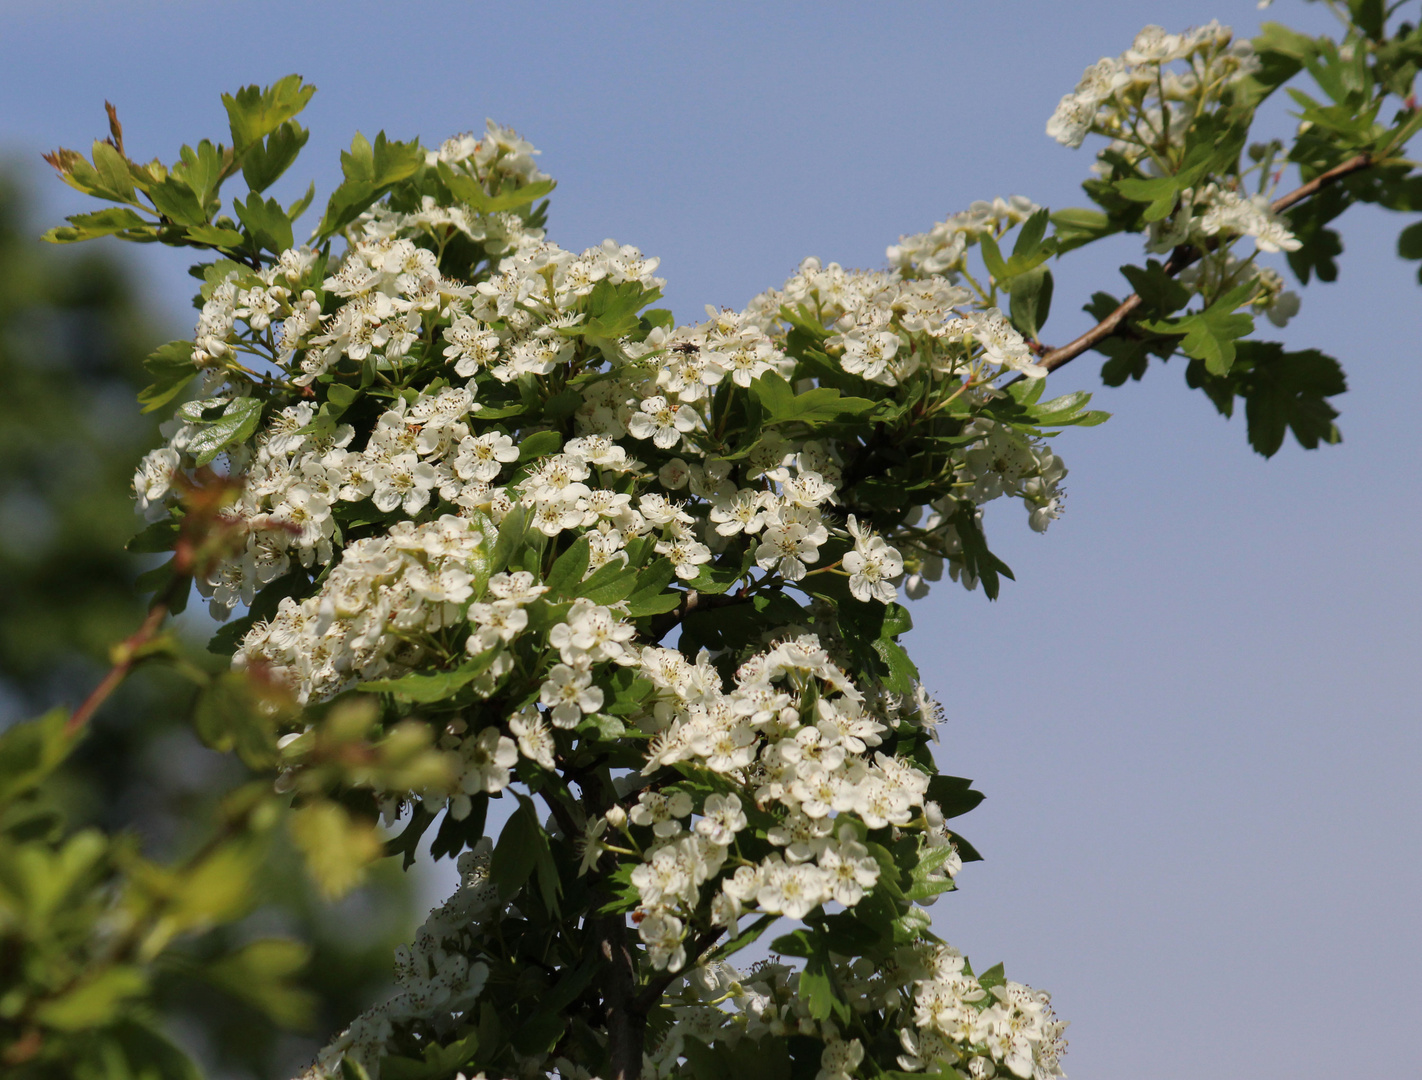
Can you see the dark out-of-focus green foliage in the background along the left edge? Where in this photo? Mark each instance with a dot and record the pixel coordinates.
(73, 337)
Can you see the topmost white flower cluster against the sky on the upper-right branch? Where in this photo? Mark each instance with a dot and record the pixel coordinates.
(1140, 100)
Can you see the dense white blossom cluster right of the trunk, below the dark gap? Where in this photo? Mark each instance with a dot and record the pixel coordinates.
(813, 766)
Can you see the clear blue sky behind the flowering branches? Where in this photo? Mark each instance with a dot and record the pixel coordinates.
(1197, 714)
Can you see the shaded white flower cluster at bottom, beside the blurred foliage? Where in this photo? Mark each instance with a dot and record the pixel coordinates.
(436, 977)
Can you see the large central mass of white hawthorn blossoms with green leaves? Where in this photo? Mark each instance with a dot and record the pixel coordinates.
(402, 429)
